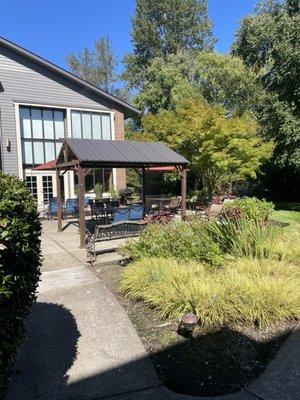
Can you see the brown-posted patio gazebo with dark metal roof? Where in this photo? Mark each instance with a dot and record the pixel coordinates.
(83, 155)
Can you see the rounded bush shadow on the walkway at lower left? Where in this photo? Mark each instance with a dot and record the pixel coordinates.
(44, 359)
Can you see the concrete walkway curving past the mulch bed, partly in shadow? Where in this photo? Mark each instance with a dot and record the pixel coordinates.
(82, 346)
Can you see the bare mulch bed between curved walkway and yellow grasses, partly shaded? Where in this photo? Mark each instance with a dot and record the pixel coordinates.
(210, 363)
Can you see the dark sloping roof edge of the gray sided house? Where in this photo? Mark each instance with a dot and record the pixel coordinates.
(129, 110)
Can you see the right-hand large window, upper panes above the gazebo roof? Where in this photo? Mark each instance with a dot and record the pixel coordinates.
(91, 125)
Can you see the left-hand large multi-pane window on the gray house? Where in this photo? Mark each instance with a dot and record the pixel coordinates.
(41, 132)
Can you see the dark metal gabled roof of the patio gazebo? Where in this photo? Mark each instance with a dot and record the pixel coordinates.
(111, 153)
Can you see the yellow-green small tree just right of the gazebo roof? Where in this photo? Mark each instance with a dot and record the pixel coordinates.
(221, 150)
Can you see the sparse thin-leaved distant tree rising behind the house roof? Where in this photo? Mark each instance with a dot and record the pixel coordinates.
(96, 65)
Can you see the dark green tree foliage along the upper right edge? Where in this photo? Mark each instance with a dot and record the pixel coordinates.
(268, 41)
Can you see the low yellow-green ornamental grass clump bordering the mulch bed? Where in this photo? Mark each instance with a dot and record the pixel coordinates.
(246, 292)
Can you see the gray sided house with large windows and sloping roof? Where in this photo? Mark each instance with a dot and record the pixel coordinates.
(40, 104)
